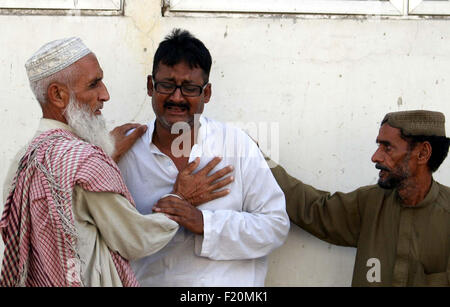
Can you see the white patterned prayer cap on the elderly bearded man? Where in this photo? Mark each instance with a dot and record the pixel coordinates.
(55, 56)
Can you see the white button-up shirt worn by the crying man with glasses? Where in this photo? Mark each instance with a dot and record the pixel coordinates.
(240, 229)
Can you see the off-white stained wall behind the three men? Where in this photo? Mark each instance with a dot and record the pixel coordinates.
(328, 83)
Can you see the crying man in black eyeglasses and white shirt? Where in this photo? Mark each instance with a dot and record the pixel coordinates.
(223, 242)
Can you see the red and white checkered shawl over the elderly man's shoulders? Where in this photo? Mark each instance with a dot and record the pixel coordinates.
(38, 226)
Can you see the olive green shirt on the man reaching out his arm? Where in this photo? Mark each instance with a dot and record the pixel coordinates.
(396, 245)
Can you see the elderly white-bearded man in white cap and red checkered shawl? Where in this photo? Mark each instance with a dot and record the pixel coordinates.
(69, 219)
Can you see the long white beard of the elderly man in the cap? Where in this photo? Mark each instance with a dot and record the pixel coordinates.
(88, 126)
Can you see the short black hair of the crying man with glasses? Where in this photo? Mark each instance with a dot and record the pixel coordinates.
(181, 46)
